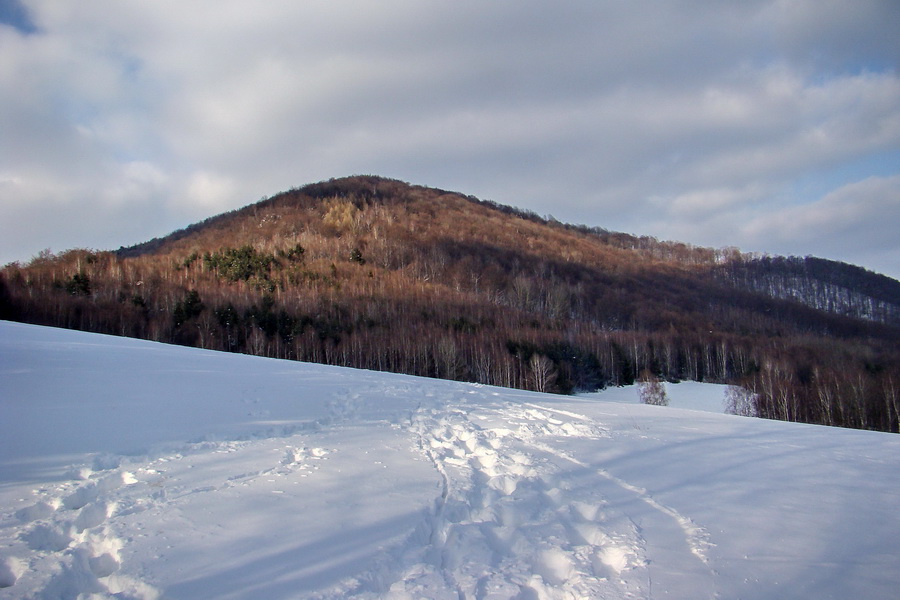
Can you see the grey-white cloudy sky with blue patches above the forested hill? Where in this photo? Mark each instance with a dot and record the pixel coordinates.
(770, 125)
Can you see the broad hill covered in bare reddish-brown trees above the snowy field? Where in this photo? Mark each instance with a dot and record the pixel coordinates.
(379, 274)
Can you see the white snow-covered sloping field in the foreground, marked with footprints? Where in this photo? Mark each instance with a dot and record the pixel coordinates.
(131, 469)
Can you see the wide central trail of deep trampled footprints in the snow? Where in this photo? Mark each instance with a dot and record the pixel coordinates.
(513, 522)
